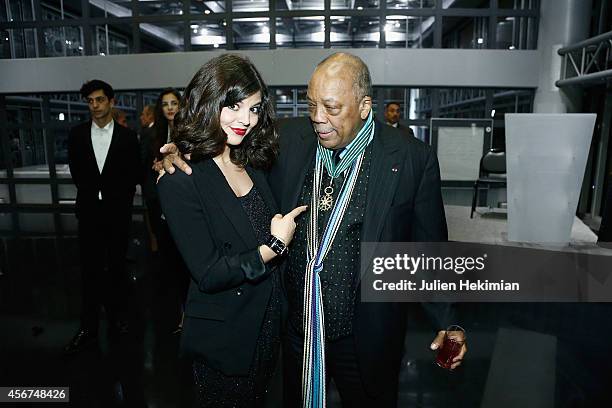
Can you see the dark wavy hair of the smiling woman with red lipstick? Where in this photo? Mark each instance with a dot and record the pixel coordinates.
(225, 81)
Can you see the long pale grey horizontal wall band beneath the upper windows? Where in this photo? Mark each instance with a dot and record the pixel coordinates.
(389, 67)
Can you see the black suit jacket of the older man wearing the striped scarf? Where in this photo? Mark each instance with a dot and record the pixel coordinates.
(404, 203)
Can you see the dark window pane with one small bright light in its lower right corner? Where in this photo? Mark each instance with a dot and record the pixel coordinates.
(465, 32)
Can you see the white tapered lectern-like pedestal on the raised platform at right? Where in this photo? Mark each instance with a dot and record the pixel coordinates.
(546, 158)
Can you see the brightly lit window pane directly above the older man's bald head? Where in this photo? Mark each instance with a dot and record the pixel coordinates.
(354, 32)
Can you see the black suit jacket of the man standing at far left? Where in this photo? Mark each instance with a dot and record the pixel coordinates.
(121, 172)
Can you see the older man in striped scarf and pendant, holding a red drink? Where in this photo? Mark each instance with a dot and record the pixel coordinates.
(363, 181)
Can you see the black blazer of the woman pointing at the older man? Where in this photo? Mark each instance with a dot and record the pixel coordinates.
(229, 288)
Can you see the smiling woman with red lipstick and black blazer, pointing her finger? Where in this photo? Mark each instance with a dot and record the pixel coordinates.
(222, 219)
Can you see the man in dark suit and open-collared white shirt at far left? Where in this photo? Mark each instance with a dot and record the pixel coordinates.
(104, 159)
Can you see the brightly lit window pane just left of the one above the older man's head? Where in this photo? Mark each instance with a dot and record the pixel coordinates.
(300, 32)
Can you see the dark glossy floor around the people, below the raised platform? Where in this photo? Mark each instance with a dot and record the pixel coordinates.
(520, 355)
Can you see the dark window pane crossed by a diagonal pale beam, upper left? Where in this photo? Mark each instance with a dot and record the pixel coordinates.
(162, 37)
